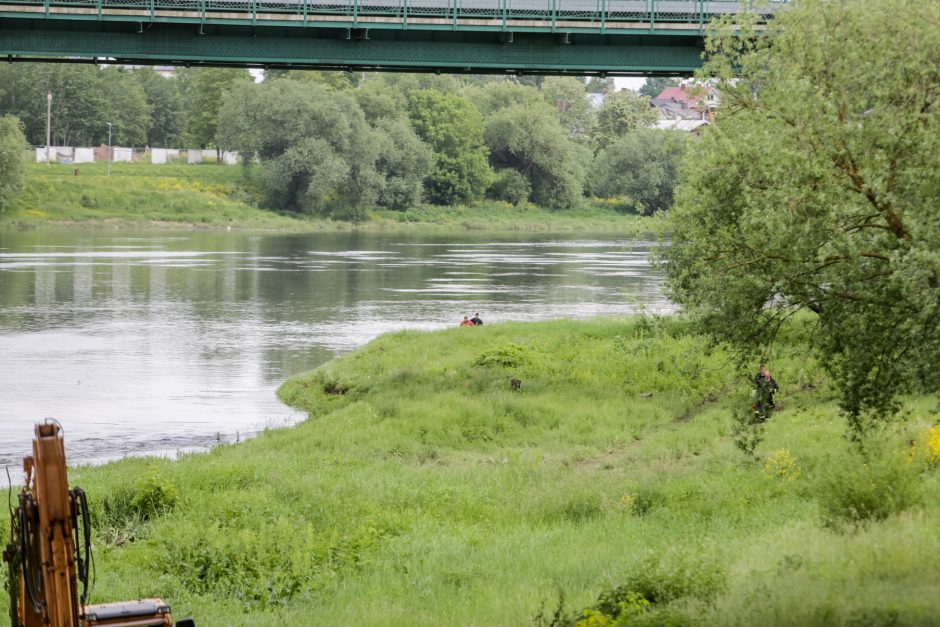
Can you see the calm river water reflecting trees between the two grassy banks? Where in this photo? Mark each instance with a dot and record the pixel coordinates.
(145, 342)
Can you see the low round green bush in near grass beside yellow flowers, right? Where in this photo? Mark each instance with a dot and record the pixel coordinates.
(860, 489)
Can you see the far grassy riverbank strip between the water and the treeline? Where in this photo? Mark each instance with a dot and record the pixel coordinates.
(213, 196)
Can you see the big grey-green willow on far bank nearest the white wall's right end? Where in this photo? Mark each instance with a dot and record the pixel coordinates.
(317, 152)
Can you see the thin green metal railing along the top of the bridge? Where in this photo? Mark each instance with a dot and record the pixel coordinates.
(507, 13)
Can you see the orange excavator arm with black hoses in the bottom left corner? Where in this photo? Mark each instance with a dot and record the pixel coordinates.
(49, 552)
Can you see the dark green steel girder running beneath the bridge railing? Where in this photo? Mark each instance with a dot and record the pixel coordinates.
(341, 47)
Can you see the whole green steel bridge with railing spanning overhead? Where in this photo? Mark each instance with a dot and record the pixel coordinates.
(604, 37)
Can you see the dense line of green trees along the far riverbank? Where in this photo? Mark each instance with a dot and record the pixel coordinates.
(336, 144)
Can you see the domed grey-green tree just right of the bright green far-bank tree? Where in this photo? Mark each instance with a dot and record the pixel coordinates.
(531, 141)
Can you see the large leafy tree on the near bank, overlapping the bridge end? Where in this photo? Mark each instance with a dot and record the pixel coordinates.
(818, 191)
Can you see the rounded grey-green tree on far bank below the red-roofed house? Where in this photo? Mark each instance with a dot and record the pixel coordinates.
(643, 166)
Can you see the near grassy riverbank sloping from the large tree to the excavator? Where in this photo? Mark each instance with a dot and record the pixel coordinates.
(423, 491)
